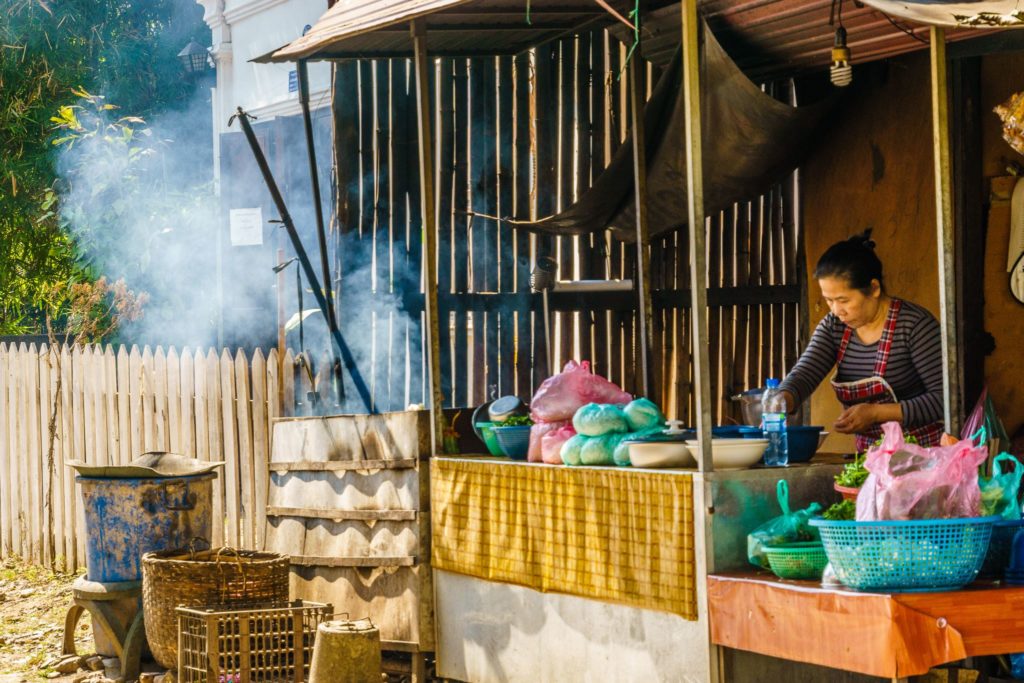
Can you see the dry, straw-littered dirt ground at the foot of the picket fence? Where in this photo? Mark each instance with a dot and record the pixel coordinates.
(33, 605)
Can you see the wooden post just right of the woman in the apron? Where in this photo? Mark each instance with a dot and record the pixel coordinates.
(945, 232)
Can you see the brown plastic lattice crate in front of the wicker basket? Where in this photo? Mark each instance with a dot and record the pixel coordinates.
(273, 644)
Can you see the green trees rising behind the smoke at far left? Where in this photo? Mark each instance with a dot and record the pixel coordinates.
(49, 51)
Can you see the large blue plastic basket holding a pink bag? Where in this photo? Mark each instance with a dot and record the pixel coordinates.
(918, 556)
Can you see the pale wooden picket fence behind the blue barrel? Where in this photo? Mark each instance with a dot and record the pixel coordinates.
(111, 407)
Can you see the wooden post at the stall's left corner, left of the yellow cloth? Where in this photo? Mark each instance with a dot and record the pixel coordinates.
(423, 81)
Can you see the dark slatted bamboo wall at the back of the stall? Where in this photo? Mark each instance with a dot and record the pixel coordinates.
(523, 138)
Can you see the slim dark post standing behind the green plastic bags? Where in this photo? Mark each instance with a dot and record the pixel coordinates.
(646, 308)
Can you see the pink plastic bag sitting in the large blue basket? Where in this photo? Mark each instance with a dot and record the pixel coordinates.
(909, 482)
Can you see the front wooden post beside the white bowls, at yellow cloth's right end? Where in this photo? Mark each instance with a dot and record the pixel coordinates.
(696, 215)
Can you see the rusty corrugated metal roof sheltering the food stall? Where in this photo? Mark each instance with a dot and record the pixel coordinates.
(764, 37)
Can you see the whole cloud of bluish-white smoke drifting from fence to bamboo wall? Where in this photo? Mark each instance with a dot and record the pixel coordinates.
(139, 199)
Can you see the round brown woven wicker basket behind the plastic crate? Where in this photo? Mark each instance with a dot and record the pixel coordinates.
(219, 577)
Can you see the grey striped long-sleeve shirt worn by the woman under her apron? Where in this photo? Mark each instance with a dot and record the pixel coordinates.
(915, 370)
